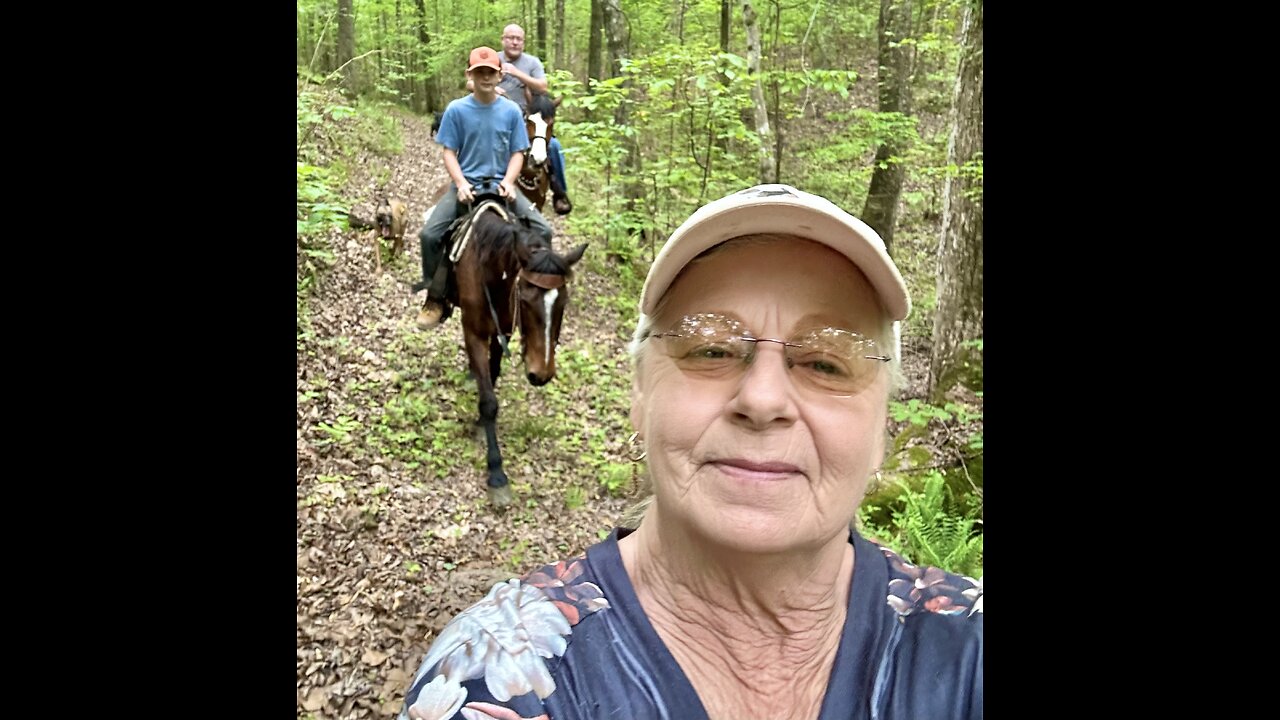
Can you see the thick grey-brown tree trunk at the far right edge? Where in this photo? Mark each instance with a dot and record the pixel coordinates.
(959, 315)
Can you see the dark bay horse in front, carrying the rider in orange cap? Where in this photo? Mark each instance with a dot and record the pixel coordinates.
(508, 277)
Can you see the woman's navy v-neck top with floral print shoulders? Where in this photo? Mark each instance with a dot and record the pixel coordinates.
(573, 641)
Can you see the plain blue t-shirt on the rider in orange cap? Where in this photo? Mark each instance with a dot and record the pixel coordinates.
(484, 136)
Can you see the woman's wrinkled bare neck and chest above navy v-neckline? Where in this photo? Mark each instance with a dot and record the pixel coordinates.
(757, 636)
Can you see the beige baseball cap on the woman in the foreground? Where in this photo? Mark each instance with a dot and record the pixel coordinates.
(779, 209)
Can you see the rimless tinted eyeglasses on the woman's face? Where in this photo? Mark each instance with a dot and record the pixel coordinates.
(829, 361)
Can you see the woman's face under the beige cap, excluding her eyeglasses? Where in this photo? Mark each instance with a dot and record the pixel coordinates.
(757, 461)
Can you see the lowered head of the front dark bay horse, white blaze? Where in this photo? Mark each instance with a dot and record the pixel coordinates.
(543, 295)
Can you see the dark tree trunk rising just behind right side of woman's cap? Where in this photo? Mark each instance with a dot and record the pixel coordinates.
(895, 97)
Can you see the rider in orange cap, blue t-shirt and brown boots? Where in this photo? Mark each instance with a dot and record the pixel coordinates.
(484, 142)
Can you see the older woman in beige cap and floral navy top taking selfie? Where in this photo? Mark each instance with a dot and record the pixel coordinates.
(764, 364)
